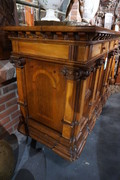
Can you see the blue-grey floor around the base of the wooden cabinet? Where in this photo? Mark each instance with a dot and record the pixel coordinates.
(99, 160)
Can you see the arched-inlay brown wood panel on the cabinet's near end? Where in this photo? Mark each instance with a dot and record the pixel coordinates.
(46, 88)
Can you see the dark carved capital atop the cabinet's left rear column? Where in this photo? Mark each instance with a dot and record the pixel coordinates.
(18, 62)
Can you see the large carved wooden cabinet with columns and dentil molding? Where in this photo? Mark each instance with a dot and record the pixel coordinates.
(63, 75)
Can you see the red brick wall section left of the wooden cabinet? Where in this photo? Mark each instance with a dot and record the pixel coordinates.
(9, 110)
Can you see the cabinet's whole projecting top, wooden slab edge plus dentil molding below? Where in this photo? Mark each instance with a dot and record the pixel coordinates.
(77, 33)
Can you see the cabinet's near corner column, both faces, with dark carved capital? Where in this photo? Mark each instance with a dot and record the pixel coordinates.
(75, 95)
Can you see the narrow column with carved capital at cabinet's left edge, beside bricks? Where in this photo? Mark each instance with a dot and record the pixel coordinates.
(19, 63)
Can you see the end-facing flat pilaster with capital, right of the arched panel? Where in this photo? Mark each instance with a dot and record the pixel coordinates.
(73, 79)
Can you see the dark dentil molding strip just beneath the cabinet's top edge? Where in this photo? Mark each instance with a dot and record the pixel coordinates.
(77, 36)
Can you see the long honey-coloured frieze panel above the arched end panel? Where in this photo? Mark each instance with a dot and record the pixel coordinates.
(45, 50)
